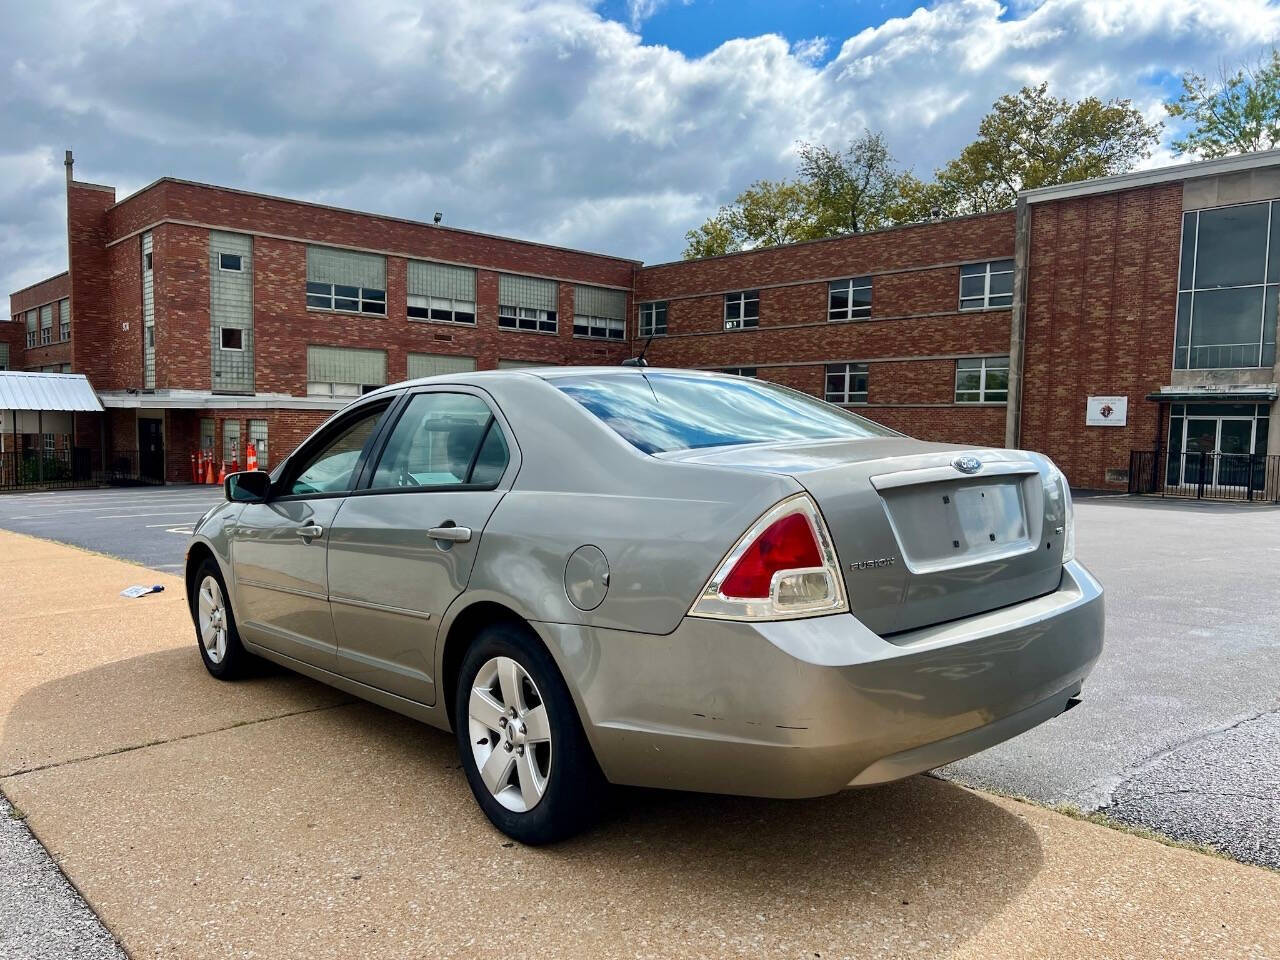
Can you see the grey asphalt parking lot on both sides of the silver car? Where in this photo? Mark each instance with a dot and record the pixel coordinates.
(1181, 724)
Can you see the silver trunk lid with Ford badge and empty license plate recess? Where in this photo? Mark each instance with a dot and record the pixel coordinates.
(920, 540)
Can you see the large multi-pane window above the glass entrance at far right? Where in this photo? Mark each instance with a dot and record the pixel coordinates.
(1228, 287)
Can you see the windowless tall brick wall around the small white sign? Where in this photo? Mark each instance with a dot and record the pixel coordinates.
(1100, 322)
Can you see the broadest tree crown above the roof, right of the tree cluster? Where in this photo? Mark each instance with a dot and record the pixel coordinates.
(1034, 140)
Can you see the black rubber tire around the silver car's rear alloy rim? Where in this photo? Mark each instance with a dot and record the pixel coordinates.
(574, 785)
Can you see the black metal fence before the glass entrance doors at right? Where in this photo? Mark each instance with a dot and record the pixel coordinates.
(1206, 477)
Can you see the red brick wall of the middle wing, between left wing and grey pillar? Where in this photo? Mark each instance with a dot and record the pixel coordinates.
(915, 305)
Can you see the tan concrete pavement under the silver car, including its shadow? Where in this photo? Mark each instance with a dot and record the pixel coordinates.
(277, 819)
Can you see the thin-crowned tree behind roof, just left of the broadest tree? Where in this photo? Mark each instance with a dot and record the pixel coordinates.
(852, 190)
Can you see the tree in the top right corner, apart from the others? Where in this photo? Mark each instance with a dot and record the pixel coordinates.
(1240, 113)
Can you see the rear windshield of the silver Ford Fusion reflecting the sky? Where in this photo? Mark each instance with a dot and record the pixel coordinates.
(668, 412)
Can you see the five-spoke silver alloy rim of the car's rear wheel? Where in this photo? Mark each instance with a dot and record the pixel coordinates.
(511, 735)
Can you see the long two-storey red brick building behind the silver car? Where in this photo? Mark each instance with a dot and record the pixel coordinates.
(1135, 313)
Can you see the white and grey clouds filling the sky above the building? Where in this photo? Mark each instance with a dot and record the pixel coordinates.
(538, 118)
